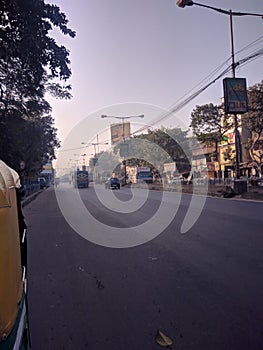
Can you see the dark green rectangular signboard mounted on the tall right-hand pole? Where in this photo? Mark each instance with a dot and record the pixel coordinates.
(235, 95)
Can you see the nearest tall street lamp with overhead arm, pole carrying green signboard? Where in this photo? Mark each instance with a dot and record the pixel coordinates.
(230, 13)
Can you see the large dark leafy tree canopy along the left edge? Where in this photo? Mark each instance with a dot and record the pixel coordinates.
(31, 65)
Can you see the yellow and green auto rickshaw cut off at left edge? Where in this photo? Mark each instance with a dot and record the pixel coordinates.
(14, 330)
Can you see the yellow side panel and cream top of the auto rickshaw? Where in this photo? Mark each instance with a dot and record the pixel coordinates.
(11, 284)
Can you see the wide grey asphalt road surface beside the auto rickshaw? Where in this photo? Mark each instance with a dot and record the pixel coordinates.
(203, 289)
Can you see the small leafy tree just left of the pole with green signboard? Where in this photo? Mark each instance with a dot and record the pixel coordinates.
(209, 125)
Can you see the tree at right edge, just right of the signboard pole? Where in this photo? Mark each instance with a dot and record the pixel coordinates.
(254, 122)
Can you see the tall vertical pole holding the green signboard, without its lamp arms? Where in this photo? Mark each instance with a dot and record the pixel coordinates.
(237, 145)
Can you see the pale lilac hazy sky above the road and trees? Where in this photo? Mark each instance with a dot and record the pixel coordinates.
(141, 57)
